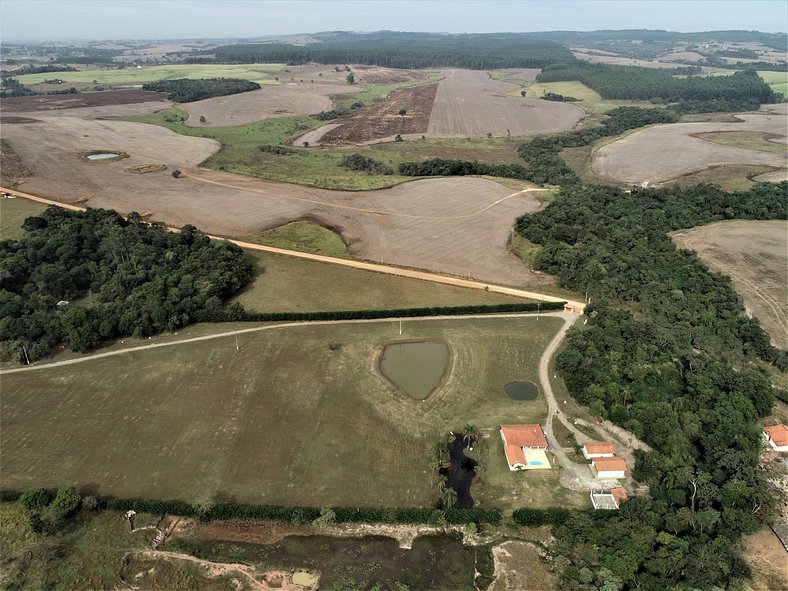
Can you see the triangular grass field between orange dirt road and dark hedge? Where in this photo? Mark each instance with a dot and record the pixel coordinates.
(284, 284)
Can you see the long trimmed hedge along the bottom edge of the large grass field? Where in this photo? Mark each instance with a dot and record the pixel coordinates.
(304, 514)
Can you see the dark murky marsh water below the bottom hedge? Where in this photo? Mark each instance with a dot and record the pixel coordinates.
(434, 562)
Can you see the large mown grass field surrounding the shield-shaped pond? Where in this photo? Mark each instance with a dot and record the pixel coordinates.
(295, 416)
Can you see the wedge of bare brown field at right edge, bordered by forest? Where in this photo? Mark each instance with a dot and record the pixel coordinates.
(754, 254)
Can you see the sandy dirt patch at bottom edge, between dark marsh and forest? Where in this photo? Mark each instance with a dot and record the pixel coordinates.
(518, 566)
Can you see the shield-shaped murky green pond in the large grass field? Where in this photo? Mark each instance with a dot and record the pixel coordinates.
(416, 368)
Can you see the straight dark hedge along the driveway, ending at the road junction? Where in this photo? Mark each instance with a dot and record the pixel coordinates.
(235, 314)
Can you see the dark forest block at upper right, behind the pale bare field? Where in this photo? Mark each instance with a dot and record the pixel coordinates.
(739, 91)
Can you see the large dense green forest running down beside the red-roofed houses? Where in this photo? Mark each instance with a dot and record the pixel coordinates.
(668, 355)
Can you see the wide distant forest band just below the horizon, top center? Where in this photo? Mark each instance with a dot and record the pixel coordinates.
(407, 50)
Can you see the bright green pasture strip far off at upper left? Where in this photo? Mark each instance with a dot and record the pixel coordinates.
(261, 73)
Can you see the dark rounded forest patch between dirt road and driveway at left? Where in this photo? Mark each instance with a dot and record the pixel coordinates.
(118, 277)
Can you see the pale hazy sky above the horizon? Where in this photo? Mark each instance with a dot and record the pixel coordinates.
(178, 19)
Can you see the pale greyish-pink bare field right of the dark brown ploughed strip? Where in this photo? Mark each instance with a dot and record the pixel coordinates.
(471, 104)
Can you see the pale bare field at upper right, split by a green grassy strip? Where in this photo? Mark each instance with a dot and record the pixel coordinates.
(659, 154)
